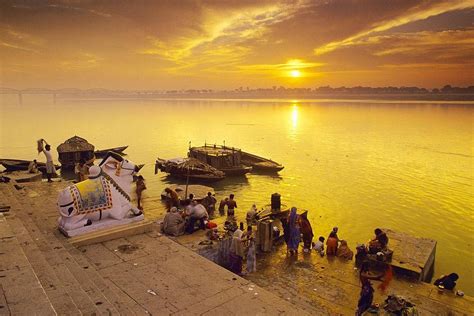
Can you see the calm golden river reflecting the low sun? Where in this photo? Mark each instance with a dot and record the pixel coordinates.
(356, 165)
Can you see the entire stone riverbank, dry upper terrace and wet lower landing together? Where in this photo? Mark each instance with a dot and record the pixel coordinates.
(123, 275)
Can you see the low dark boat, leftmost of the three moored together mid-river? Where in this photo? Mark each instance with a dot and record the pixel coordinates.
(190, 168)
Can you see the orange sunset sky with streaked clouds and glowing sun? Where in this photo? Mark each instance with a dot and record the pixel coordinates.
(227, 44)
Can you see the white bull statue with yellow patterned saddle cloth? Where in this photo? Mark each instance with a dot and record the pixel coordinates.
(104, 196)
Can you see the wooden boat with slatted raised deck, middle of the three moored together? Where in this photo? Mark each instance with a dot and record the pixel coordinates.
(223, 158)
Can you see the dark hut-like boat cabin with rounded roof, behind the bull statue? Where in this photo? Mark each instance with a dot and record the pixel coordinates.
(73, 150)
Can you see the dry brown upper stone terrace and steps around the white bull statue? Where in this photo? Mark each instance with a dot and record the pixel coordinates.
(42, 273)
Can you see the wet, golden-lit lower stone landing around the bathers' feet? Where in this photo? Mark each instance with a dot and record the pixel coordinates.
(330, 286)
